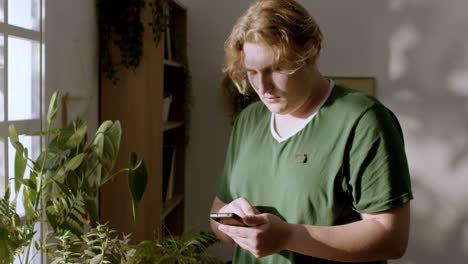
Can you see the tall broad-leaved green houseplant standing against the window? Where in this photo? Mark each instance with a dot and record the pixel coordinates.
(63, 184)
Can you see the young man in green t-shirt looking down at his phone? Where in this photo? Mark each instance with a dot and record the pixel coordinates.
(317, 172)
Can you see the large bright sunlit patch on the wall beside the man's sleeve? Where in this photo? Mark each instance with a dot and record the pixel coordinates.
(439, 186)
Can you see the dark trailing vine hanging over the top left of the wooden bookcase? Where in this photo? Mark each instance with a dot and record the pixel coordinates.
(121, 30)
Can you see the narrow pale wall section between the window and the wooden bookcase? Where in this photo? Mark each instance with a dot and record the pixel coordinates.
(71, 57)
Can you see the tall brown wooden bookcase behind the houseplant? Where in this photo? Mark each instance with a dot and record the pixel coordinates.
(136, 100)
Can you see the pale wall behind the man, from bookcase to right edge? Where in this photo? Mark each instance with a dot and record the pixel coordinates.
(417, 50)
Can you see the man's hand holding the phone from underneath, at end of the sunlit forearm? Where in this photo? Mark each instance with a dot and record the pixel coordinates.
(266, 234)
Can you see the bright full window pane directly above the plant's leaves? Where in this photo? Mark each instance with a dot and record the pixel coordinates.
(23, 79)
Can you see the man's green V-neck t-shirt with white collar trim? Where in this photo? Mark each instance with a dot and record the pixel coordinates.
(348, 159)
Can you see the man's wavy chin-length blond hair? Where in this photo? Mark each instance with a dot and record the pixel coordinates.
(284, 25)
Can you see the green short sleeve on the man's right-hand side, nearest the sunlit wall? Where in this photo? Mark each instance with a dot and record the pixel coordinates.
(378, 169)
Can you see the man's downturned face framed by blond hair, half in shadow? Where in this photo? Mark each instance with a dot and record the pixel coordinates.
(281, 91)
